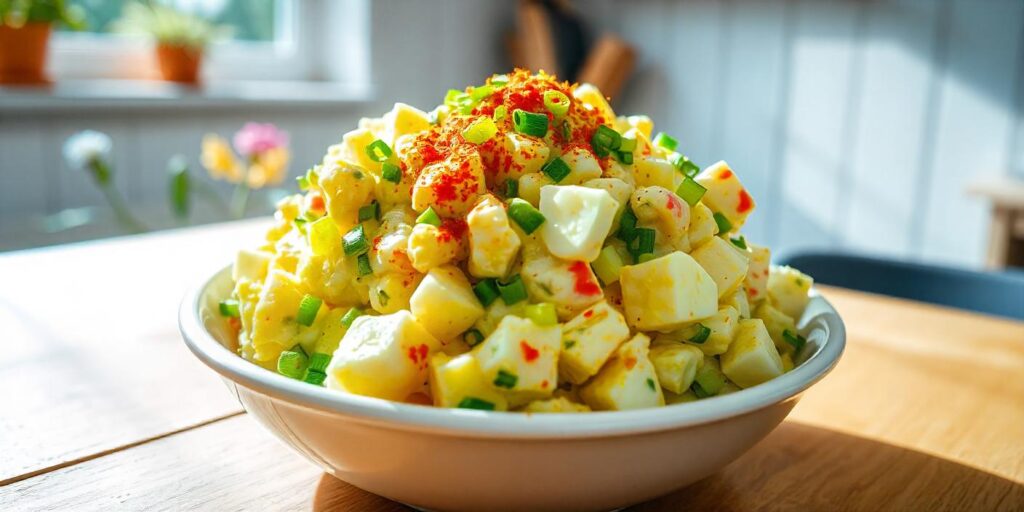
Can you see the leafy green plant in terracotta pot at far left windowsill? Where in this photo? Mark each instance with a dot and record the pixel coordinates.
(25, 35)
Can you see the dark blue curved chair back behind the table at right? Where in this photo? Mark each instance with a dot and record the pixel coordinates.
(994, 293)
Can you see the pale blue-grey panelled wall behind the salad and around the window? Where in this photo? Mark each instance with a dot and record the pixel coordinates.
(857, 124)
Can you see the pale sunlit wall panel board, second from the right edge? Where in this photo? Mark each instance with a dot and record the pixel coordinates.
(899, 52)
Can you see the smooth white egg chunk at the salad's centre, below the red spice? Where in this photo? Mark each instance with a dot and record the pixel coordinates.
(578, 221)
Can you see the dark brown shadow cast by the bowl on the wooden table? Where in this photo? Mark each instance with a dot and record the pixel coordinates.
(799, 467)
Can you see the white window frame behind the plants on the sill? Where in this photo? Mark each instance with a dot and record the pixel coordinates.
(293, 57)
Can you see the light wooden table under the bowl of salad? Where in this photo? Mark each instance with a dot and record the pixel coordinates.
(103, 408)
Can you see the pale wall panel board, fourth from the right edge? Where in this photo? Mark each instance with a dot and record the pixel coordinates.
(752, 101)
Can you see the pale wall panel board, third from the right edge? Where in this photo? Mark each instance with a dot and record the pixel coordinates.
(824, 51)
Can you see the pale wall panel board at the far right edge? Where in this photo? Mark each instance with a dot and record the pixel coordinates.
(975, 123)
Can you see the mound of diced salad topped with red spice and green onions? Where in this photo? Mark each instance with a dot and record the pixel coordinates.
(519, 248)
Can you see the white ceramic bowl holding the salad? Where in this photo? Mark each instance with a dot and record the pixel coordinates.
(444, 459)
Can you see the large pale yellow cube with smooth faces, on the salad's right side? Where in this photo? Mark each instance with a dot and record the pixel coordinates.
(667, 293)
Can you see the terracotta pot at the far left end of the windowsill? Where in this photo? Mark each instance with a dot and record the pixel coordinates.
(23, 54)
